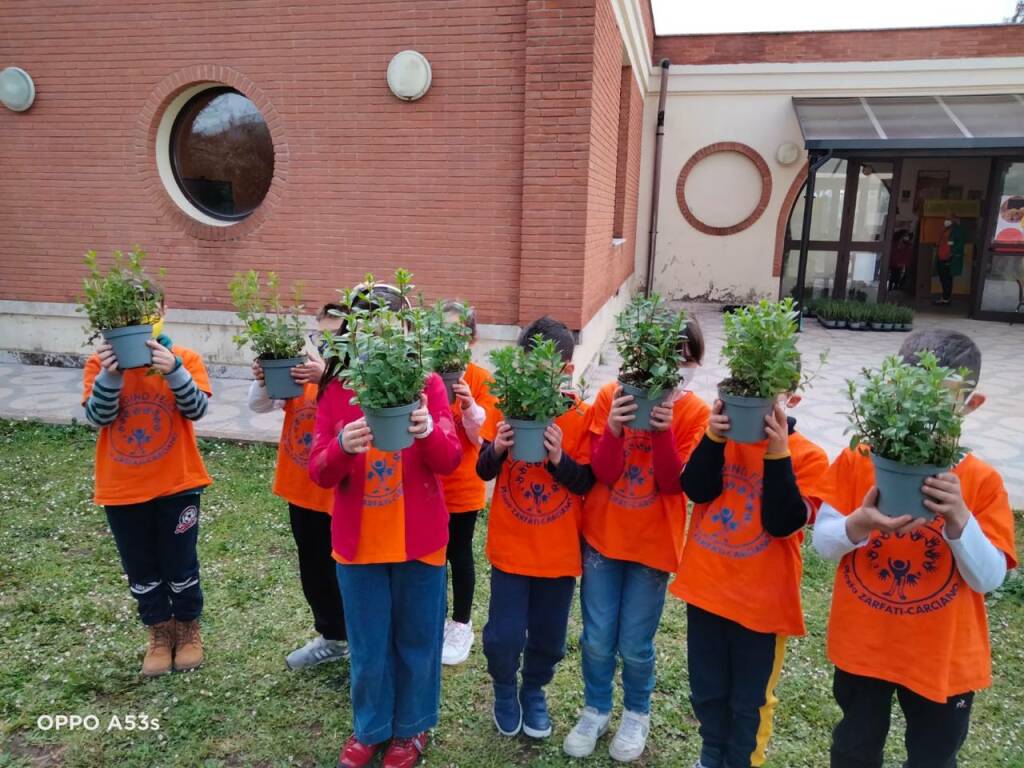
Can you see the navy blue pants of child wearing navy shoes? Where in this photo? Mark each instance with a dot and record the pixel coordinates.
(528, 619)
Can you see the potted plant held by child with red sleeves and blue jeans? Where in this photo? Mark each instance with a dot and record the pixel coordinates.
(649, 336)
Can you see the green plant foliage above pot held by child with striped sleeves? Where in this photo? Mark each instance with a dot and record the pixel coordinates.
(124, 296)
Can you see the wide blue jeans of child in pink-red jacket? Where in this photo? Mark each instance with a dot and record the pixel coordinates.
(395, 617)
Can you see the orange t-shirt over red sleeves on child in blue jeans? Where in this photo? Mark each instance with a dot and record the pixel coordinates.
(632, 521)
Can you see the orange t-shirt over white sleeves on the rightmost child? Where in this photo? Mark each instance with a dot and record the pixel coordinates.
(902, 612)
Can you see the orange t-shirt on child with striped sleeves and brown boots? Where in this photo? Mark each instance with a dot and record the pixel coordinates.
(150, 451)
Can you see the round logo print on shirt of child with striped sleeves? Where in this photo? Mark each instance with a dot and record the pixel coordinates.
(143, 431)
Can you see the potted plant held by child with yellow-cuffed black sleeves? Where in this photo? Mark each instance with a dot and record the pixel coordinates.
(761, 354)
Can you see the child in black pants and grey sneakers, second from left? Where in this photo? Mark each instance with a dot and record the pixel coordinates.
(309, 505)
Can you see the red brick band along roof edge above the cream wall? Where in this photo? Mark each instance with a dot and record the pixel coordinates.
(860, 46)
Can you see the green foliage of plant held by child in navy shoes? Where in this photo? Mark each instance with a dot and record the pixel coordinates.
(529, 383)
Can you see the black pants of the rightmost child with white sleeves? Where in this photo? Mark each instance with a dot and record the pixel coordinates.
(935, 732)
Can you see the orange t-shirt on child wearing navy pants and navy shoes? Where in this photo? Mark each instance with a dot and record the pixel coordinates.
(534, 524)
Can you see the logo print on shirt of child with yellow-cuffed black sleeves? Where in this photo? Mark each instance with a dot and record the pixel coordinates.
(731, 526)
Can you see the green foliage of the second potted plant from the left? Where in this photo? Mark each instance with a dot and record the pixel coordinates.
(273, 330)
